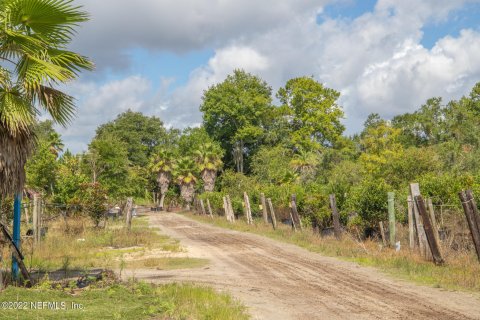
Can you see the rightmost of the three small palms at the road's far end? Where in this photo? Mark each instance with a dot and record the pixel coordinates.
(209, 159)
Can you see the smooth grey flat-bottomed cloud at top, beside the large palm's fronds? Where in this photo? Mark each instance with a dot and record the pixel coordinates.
(178, 26)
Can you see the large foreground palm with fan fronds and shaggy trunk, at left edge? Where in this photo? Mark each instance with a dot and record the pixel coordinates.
(34, 35)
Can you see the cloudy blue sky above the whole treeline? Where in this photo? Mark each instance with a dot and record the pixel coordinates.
(158, 56)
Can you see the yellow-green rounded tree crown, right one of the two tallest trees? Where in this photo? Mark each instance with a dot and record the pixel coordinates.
(311, 112)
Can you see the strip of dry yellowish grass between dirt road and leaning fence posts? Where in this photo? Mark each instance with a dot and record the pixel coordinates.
(461, 272)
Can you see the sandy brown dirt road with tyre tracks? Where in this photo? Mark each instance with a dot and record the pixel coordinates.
(282, 281)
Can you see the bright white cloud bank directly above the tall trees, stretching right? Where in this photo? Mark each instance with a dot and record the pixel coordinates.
(376, 60)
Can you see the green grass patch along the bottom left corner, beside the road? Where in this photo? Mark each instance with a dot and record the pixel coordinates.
(134, 301)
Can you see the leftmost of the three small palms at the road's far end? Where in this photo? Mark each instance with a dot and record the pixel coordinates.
(162, 164)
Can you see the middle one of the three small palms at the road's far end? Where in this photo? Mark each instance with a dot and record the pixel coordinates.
(186, 179)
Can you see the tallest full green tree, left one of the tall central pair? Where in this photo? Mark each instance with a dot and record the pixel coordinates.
(235, 112)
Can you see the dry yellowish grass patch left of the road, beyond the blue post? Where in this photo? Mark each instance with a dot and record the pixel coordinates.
(81, 247)
